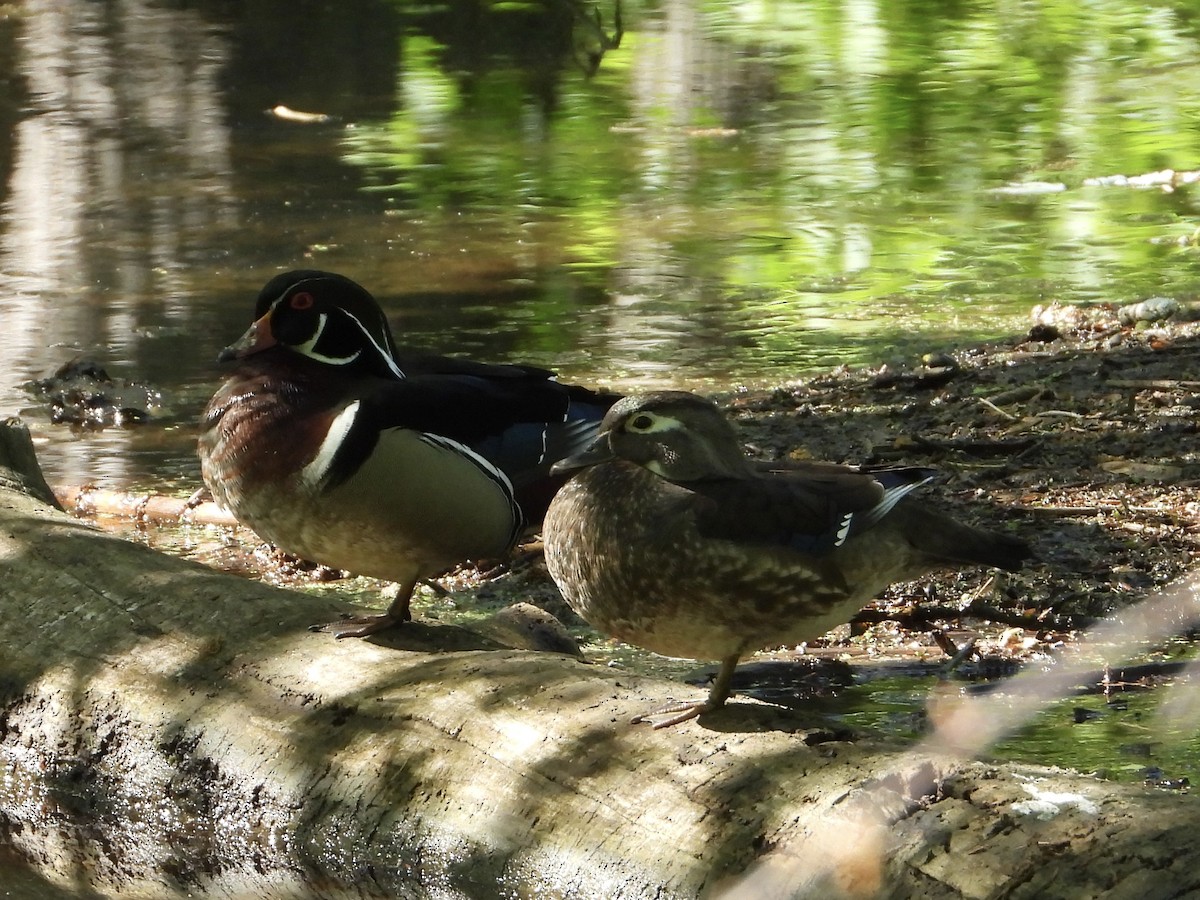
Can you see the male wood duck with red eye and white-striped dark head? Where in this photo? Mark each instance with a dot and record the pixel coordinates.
(332, 445)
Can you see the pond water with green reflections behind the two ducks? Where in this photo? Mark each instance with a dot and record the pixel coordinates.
(682, 194)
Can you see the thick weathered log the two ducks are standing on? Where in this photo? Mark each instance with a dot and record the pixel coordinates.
(169, 730)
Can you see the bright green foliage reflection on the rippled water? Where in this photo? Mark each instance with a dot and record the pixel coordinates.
(803, 165)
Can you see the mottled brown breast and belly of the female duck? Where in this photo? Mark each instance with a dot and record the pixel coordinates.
(641, 571)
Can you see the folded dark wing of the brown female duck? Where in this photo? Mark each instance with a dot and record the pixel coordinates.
(813, 508)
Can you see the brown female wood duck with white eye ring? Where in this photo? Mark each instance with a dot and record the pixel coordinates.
(673, 541)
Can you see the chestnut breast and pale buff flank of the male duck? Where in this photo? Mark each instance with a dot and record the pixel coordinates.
(393, 519)
